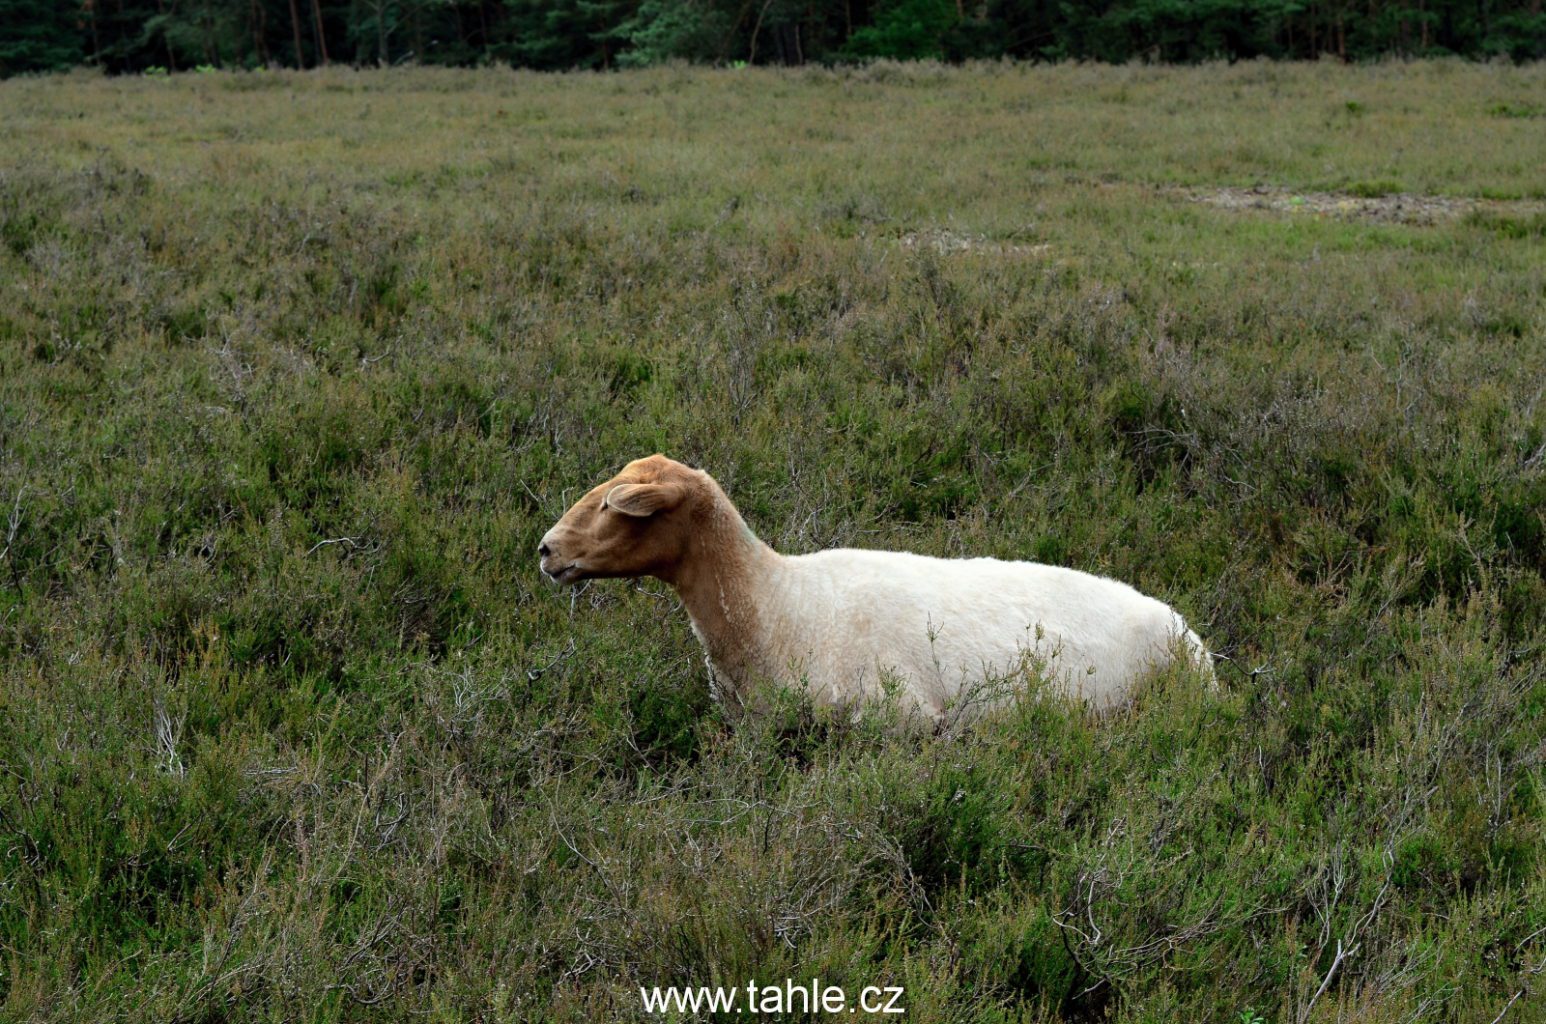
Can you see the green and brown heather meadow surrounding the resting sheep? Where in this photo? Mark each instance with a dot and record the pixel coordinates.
(298, 367)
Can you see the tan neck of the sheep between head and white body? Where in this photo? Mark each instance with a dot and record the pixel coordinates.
(717, 584)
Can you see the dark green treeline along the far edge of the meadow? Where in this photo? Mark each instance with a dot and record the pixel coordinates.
(180, 35)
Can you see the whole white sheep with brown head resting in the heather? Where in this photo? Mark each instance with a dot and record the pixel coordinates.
(851, 624)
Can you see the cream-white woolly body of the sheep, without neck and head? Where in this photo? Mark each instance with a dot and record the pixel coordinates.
(848, 618)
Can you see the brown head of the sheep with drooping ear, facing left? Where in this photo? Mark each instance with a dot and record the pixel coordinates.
(638, 524)
